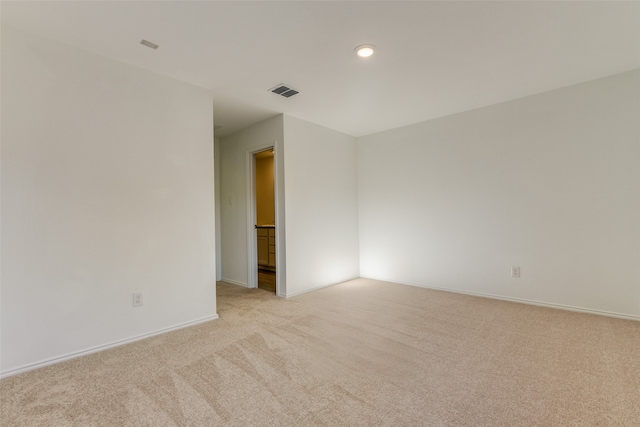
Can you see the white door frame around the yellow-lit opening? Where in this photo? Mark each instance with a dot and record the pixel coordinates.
(252, 245)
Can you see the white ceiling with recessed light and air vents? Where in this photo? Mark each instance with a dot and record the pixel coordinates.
(433, 58)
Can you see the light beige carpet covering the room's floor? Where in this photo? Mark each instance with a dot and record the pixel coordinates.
(359, 353)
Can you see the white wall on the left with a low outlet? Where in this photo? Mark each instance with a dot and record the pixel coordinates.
(107, 189)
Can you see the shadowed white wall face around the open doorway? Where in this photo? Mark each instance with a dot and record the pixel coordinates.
(233, 195)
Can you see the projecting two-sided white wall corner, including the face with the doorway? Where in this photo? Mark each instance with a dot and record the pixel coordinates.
(319, 239)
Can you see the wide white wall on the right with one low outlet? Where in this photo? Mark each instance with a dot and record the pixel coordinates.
(549, 183)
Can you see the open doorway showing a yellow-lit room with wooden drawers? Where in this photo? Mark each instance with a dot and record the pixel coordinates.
(265, 219)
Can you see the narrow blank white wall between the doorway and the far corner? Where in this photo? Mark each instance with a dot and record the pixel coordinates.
(321, 206)
